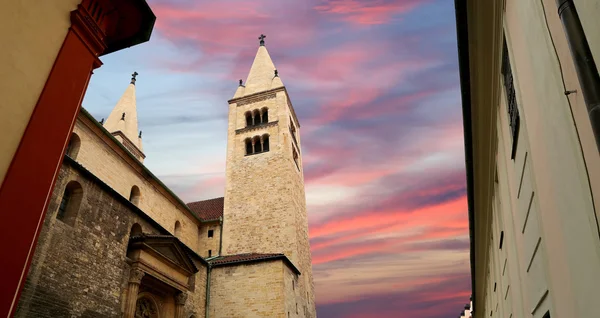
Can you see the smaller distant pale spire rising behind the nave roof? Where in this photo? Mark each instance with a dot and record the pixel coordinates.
(122, 122)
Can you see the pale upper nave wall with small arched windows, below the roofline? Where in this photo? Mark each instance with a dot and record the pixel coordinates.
(99, 154)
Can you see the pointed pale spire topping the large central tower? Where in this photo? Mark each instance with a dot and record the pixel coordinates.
(263, 75)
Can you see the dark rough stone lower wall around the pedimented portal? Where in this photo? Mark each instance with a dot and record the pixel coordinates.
(79, 268)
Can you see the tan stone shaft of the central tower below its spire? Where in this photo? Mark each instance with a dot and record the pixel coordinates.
(265, 202)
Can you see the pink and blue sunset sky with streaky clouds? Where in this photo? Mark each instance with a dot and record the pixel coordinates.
(376, 90)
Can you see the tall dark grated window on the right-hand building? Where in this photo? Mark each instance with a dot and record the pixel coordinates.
(511, 100)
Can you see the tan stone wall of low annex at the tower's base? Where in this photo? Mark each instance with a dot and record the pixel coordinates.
(248, 291)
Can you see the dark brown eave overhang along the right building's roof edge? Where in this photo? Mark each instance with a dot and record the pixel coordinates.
(479, 34)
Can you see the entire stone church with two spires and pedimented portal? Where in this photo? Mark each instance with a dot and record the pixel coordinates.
(117, 242)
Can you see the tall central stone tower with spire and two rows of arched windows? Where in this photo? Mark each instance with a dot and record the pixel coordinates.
(265, 204)
